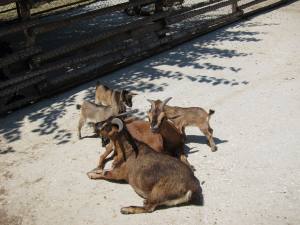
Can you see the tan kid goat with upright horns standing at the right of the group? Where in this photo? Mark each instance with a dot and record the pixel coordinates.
(182, 117)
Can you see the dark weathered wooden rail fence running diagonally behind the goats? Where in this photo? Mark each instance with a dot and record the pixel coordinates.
(49, 46)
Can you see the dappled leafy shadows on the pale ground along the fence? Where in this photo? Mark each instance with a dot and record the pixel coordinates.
(140, 77)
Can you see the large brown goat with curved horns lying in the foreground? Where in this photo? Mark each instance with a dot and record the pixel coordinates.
(158, 178)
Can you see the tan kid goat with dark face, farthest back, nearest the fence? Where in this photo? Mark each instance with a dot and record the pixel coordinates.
(104, 96)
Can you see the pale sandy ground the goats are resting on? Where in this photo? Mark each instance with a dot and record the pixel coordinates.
(248, 72)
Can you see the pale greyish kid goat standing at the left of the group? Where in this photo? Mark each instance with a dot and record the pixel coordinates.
(97, 113)
